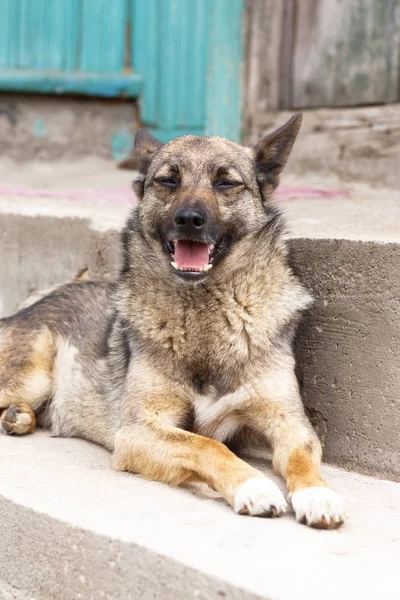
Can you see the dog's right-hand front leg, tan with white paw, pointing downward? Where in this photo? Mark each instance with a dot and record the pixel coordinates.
(277, 412)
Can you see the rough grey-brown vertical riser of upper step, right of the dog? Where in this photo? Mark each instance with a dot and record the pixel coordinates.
(348, 350)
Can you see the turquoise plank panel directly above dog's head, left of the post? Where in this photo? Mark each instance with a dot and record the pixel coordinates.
(170, 47)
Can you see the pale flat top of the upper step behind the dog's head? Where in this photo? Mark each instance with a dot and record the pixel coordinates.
(95, 189)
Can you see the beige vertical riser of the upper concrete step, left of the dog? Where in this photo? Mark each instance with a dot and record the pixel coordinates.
(37, 252)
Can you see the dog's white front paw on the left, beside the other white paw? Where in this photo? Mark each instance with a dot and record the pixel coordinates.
(259, 497)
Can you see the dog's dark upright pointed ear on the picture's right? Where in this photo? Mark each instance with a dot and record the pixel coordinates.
(272, 152)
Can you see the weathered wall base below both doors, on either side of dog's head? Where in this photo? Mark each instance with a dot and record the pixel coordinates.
(354, 144)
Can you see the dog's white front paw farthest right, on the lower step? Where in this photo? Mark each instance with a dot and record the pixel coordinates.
(319, 507)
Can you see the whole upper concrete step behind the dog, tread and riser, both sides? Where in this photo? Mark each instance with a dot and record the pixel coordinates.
(346, 250)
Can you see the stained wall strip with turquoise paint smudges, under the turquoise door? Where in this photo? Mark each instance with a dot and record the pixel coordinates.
(49, 128)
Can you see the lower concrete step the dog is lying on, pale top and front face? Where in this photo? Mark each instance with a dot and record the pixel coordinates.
(73, 528)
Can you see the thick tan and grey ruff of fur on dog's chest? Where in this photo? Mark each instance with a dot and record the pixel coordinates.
(215, 338)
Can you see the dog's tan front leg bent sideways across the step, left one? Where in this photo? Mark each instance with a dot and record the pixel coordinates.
(153, 445)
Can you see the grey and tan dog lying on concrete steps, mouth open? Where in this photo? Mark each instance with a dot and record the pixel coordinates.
(191, 347)
